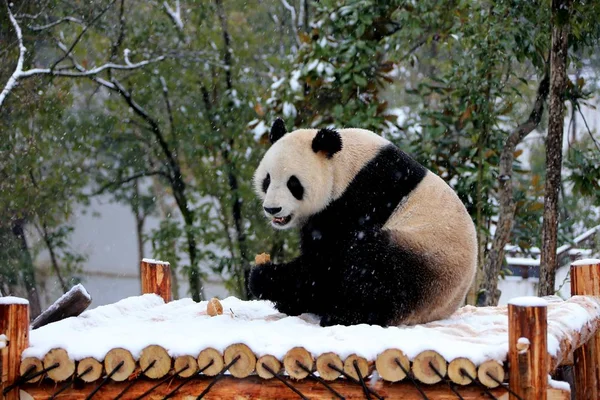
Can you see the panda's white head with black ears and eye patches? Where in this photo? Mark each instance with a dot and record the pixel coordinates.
(295, 178)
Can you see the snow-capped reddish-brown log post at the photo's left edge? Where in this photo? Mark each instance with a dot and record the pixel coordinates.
(14, 324)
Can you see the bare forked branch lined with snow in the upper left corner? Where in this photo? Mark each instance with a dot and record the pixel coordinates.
(74, 71)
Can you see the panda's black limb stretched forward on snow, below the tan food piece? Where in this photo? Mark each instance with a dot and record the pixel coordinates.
(291, 286)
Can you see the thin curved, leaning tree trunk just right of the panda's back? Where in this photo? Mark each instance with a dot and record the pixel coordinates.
(495, 257)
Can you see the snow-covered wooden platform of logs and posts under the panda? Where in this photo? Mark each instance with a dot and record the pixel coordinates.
(176, 349)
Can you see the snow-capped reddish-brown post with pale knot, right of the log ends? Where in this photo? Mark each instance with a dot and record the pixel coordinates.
(528, 348)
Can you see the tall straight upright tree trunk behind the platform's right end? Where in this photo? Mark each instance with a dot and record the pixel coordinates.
(558, 80)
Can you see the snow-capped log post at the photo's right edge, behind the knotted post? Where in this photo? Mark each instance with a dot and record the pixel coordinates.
(585, 280)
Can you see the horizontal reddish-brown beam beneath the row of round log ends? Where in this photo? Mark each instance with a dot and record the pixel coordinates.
(255, 387)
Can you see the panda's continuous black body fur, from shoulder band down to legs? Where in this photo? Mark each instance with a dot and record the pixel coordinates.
(350, 271)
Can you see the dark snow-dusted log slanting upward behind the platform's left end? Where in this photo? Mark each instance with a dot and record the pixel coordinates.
(70, 304)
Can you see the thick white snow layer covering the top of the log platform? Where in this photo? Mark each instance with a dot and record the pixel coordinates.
(184, 328)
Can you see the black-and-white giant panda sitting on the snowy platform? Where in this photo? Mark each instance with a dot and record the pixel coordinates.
(384, 241)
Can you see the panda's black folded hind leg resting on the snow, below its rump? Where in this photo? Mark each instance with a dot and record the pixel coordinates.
(382, 283)
